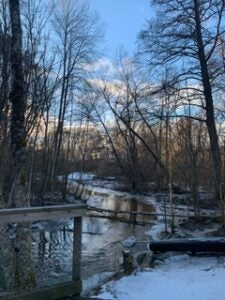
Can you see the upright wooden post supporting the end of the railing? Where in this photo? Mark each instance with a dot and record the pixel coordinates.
(77, 234)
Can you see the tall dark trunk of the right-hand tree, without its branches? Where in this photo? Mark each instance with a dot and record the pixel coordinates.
(210, 117)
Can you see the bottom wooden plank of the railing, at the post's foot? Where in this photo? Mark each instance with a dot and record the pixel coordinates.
(49, 293)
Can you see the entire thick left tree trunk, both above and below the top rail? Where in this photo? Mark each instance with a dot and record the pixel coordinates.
(24, 275)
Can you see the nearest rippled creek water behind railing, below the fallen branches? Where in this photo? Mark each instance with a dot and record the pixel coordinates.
(101, 247)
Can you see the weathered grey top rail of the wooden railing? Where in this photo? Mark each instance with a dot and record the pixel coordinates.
(32, 214)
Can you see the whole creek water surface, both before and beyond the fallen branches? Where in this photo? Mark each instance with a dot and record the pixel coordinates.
(101, 242)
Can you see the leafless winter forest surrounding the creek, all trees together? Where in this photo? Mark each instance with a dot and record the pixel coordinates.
(154, 121)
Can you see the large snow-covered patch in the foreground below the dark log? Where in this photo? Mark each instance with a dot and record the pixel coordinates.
(178, 277)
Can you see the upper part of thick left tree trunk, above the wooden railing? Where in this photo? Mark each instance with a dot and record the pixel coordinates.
(17, 97)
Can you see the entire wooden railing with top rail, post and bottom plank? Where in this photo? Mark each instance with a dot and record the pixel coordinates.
(31, 214)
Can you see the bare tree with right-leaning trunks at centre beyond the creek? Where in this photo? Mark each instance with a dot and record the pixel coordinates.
(125, 101)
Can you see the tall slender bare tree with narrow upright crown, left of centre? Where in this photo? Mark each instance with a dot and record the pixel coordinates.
(77, 33)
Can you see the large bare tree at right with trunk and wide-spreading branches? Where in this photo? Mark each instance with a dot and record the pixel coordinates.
(188, 34)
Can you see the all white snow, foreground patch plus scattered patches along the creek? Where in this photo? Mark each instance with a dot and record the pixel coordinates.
(173, 277)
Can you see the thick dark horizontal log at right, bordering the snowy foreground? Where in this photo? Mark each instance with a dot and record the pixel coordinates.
(191, 245)
